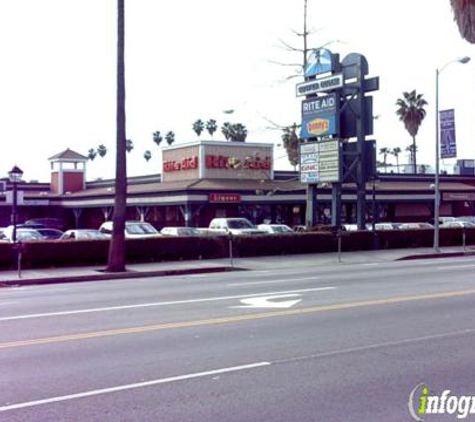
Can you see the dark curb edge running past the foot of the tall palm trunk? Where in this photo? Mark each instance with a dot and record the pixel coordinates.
(115, 276)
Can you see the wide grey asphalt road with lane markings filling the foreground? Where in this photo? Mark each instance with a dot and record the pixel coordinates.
(333, 343)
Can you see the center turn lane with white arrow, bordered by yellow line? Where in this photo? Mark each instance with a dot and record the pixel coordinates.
(149, 318)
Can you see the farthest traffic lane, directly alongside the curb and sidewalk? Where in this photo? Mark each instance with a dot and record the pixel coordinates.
(98, 292)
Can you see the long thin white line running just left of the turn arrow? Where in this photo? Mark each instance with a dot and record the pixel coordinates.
(148, 305)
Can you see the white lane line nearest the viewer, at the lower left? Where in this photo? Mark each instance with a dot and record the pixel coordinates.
(132, 386)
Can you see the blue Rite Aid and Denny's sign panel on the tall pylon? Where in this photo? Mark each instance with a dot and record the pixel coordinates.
(319, 117)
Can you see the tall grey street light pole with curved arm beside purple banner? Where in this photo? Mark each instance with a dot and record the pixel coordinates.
(462, 60)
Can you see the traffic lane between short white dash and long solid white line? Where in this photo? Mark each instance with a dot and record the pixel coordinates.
(145, 291)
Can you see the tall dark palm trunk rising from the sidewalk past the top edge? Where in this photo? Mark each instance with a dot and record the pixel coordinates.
(116, 258)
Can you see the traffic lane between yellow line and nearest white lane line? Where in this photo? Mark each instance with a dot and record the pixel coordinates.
(72, 367)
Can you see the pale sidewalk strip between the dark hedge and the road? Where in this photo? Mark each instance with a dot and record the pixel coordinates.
(96, 273)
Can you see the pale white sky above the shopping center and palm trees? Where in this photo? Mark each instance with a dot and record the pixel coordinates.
(188, 59)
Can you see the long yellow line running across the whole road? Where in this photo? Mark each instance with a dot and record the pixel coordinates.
(235, 318)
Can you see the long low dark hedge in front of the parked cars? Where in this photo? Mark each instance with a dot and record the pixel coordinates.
(94, 252)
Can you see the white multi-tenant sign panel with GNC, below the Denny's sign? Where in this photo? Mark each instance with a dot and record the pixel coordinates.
(320, 162)
